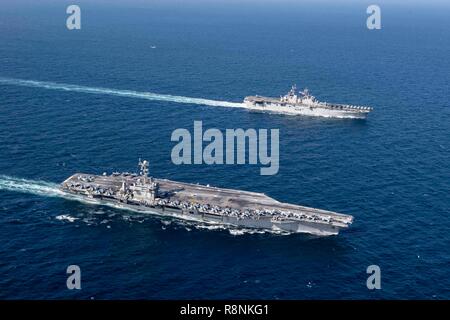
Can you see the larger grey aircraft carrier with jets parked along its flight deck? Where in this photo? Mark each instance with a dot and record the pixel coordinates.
(207, 204)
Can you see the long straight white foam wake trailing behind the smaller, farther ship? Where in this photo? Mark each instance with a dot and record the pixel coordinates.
(121, 93)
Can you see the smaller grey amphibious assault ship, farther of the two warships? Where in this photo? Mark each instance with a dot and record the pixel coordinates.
(305, 104)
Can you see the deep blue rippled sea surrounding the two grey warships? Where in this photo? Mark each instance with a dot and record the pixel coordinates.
(391, 172)
